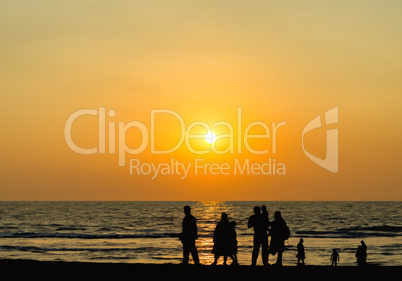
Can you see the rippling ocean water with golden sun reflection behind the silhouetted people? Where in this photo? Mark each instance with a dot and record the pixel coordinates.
(147, 232)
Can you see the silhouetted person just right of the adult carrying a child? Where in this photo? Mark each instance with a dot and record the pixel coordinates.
(279, 233)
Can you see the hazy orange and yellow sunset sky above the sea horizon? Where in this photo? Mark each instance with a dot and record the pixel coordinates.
(275, 61)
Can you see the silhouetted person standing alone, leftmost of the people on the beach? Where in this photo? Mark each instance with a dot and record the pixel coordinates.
(188, 236)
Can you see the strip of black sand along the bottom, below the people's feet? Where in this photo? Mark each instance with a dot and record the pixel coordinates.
(114, 271)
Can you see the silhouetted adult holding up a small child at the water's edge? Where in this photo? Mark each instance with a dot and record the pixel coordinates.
(259, 223)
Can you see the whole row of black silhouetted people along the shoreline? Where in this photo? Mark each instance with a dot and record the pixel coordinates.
(225, 241)
